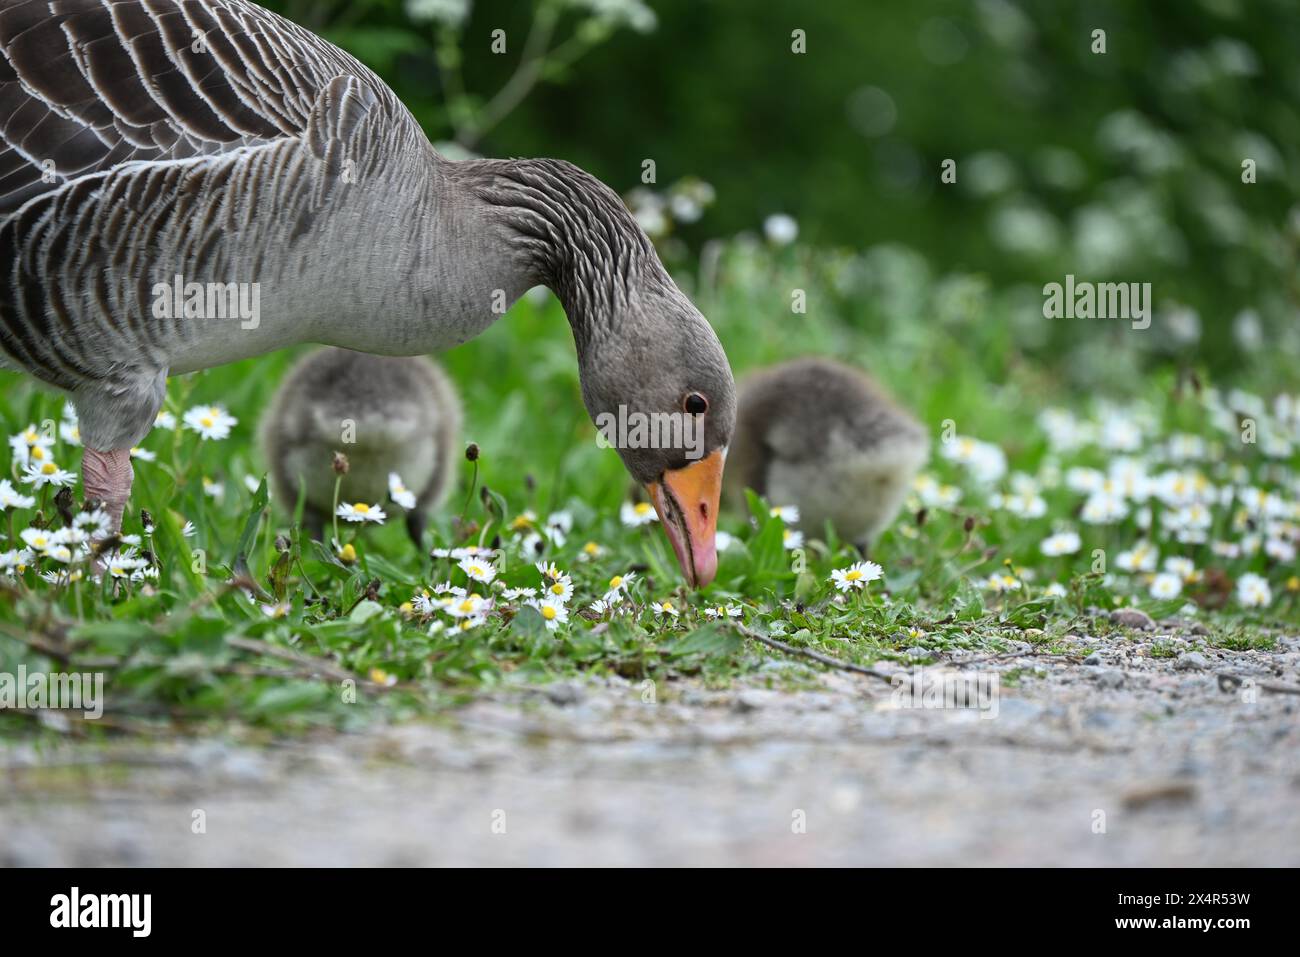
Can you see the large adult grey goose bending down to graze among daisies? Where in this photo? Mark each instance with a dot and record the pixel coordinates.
(149, 145)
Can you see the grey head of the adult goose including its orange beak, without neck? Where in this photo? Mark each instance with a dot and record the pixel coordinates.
(661, 392)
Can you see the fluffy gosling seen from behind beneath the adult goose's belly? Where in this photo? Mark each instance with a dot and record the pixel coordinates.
(389, 415)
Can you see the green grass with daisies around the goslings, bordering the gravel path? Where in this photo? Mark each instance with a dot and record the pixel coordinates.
(197, 646)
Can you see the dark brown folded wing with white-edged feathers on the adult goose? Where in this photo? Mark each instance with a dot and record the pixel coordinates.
(90, 85)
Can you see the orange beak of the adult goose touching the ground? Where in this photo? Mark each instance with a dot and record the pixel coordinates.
(687, 501)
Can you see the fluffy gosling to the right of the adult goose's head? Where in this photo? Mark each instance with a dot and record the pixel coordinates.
(825, 438)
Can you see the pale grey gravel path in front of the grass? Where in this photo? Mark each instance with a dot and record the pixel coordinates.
(1128, 760)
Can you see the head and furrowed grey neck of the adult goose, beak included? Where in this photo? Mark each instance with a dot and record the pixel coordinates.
(648, 360)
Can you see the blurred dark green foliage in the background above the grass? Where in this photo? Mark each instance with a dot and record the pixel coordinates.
(1117, 166)
